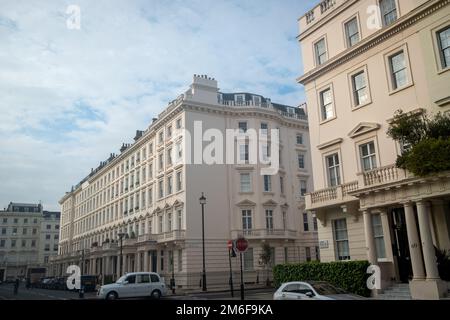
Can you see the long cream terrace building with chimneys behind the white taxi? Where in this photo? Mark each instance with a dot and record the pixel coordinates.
(152, 188)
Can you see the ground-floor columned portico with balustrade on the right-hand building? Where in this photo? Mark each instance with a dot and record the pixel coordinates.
(396, 225)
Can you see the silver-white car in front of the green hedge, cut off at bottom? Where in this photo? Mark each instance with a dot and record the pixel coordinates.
(312, 290)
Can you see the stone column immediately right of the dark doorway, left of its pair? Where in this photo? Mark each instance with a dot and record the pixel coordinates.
(413, 240)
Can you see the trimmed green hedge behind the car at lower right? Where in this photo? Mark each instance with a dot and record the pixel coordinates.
(349, 275)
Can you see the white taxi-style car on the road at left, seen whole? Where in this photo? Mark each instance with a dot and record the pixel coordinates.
(133, 285)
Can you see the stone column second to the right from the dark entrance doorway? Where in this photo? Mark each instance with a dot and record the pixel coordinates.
(429, 257)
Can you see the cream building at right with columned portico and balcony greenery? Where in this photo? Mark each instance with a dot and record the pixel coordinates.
(356, 75)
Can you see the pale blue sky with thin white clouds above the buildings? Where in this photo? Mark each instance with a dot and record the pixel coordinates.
(69, 97)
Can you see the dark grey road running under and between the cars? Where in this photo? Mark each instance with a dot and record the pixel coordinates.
(7, 293)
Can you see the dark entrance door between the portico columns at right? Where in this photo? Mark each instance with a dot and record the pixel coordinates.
(401, 245)
